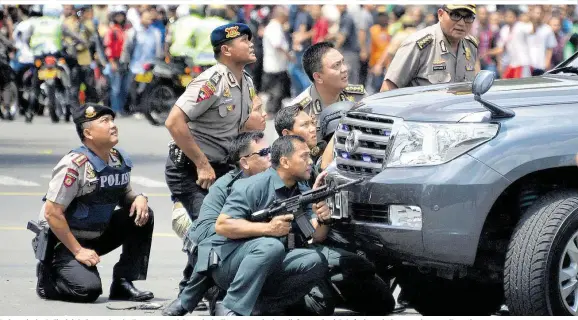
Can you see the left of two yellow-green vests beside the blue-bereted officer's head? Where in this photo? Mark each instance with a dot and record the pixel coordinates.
(182, 32)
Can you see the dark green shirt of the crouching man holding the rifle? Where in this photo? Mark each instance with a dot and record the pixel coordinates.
(247, 196)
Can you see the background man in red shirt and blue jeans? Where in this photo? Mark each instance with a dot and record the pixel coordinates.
(113, 43)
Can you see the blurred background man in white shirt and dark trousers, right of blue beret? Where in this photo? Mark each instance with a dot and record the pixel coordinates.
(276, 57)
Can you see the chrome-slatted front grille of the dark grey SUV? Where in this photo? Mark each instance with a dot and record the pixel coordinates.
(373, 135)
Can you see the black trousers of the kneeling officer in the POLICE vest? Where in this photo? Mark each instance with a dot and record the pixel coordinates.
(70, 280)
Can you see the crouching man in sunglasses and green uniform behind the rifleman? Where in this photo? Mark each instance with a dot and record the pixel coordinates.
(251, 152)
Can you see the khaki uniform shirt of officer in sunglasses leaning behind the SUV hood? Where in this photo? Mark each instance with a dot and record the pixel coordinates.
(426, 58)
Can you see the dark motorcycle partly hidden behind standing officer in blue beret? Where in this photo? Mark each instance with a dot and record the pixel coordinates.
(162, 84)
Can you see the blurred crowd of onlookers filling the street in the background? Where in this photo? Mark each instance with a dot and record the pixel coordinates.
(367, 35)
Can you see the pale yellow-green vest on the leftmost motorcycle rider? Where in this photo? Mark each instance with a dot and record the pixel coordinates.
(48, 34)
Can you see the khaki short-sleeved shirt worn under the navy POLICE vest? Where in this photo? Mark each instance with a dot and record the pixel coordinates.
(63, 187)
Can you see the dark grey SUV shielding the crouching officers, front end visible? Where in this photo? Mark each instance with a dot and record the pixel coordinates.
(471, 194)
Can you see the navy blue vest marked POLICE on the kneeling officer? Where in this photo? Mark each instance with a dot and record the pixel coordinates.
(92, 211)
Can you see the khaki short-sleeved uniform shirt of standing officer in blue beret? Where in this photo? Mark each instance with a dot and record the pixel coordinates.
(217, 105)
